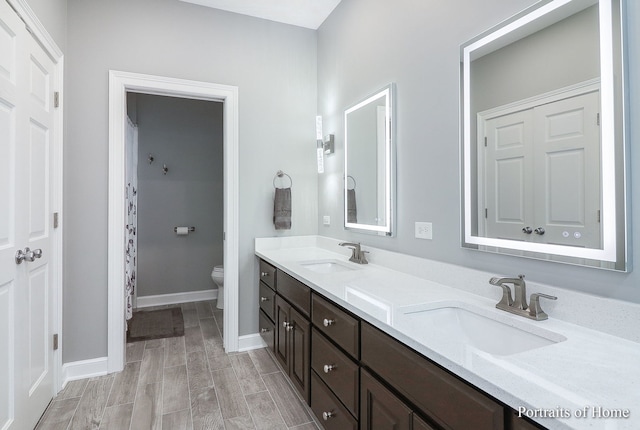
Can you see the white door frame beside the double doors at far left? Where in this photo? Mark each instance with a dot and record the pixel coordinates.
(39, 32)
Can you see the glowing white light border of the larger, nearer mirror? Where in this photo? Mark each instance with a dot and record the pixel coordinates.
(609, 250)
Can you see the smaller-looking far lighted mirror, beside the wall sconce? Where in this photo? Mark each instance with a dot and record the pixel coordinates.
(368, 175)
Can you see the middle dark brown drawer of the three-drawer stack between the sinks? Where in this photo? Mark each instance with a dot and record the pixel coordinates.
(343, 377)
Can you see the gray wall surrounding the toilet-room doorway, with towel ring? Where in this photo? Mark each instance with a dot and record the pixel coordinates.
(274, 66)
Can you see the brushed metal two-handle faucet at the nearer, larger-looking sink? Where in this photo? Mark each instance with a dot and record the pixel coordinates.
(518, 304)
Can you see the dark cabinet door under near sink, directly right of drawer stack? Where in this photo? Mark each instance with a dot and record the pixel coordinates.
(380, 409)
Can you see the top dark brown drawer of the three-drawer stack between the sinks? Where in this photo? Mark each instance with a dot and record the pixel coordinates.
(339, 326)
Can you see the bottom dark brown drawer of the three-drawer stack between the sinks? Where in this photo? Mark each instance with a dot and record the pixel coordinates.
(330, 412)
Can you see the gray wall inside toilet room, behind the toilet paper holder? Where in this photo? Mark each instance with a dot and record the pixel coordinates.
(186, 135)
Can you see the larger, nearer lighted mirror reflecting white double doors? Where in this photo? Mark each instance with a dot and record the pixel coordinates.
(543, 135)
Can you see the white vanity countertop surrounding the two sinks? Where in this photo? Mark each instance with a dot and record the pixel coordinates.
(589, 371)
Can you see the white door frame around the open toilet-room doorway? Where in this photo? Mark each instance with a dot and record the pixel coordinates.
(119, 84)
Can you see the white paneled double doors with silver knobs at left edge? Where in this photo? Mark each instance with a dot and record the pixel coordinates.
(26, 133)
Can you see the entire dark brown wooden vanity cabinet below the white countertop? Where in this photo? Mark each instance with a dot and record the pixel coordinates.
(355, 376)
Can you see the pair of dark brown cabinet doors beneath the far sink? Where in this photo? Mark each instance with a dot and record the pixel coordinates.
(292, 344)
